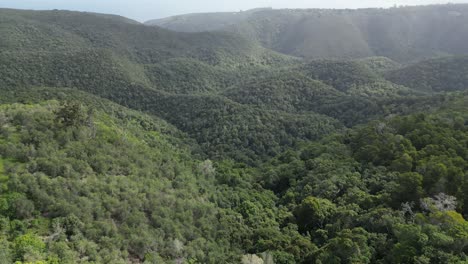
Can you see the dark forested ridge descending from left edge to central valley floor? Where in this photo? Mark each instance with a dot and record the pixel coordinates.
(222, 127)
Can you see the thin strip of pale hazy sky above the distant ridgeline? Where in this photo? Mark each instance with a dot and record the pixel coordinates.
(148, 9)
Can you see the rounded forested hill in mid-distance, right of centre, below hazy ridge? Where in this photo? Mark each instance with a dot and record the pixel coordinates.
(348, 91)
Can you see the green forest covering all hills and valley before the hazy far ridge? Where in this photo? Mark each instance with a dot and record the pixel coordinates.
(127, 143)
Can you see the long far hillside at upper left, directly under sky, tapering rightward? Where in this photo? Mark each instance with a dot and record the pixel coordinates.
(65, 31)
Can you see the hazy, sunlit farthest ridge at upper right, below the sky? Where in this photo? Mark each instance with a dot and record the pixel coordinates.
(402, 34)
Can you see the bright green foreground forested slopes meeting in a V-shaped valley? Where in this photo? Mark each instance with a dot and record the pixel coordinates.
(96, 182)
